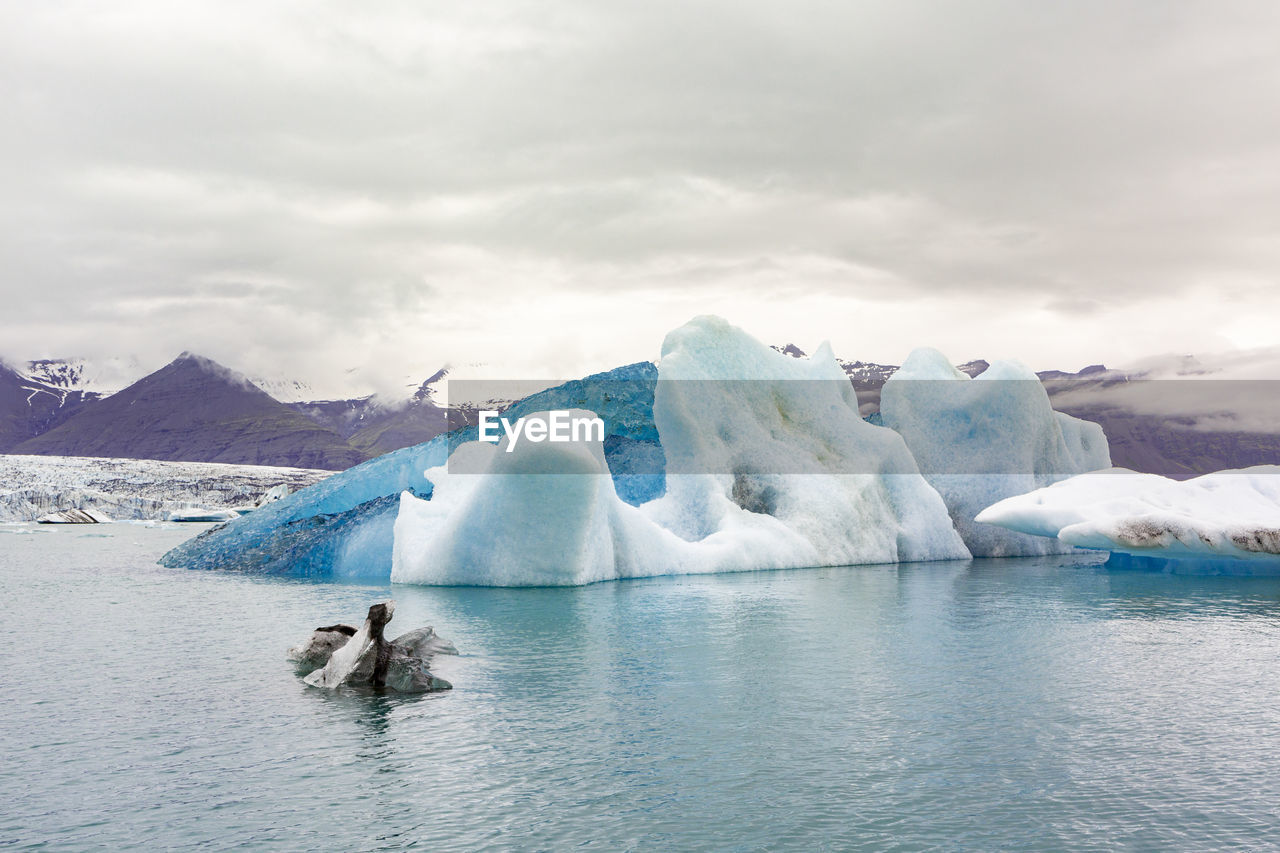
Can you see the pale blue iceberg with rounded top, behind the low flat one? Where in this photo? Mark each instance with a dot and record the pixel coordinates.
(985, 439)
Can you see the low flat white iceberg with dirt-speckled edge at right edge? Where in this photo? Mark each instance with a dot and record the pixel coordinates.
(1228, 516)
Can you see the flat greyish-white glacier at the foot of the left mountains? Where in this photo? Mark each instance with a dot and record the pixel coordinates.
(136, 489)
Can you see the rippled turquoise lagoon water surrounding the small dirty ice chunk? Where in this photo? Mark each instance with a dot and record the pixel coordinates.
(1004, 704)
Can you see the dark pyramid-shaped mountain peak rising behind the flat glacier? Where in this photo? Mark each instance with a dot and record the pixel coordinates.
(199, 412)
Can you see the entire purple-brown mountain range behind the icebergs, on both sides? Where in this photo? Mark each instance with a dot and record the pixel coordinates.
(196, 410)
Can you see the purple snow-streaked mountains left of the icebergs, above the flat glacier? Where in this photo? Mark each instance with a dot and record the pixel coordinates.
(196, 410)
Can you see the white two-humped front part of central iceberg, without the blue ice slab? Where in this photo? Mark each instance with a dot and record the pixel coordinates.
(769, 466)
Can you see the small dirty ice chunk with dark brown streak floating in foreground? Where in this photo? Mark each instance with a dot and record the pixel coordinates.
(341, 655)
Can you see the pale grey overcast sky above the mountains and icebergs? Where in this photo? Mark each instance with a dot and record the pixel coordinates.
(548, 188)
